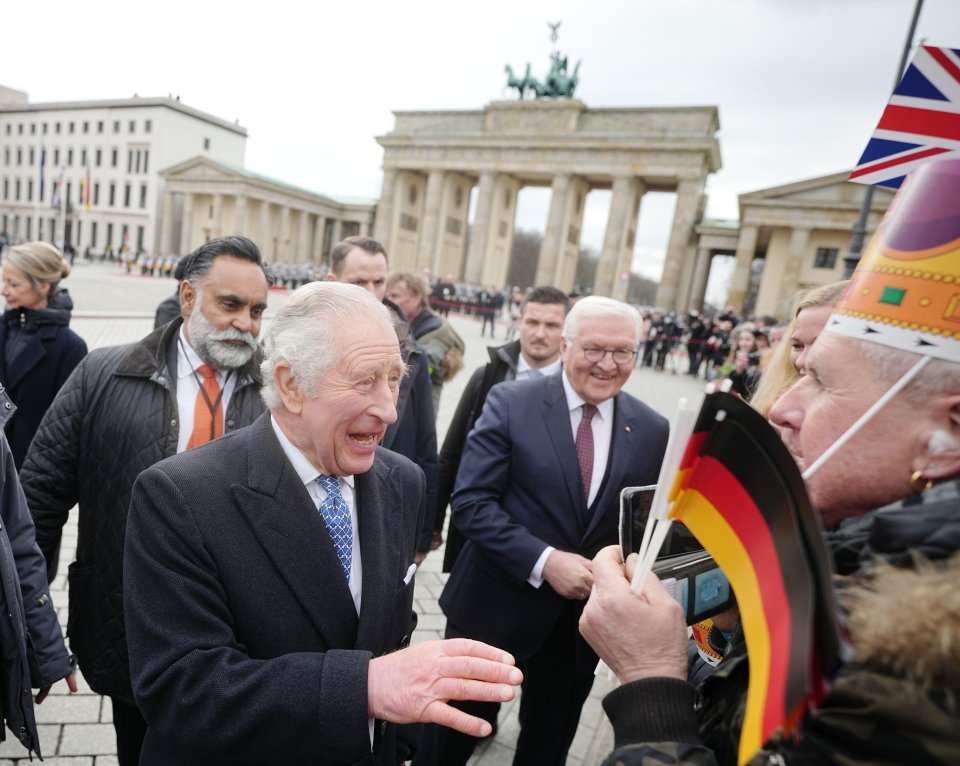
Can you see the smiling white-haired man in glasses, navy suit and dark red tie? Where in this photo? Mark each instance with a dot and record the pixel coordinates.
(536, 497)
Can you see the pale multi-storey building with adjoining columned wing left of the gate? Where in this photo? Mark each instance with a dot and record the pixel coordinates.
(153, 174)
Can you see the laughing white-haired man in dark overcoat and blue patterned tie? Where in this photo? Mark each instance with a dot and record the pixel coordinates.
(269, 574)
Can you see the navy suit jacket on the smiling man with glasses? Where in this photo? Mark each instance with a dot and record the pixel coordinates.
(519, 490)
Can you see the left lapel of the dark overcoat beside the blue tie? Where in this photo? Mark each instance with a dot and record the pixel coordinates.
(292, 533)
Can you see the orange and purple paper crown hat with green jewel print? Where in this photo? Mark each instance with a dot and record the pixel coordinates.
(905, 292)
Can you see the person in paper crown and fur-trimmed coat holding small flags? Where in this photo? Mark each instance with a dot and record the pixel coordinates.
(888, 493)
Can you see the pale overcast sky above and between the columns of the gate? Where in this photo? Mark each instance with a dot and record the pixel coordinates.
(799, 83)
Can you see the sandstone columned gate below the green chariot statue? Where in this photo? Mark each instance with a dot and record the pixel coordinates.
(432, 161)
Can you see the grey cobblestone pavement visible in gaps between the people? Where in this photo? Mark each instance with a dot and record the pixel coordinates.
(76, 730)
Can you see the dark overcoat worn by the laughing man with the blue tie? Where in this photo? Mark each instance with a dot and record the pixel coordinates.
(245, 645)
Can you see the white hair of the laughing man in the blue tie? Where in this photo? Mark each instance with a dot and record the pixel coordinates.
(304, 333)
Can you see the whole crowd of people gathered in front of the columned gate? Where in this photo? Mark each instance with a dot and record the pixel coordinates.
(252, 513)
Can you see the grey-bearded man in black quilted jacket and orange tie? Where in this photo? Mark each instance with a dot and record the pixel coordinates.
(123, 409)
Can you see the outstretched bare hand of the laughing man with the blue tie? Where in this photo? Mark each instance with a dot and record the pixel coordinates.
(414, 684)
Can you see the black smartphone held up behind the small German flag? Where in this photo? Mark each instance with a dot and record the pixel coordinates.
(698, 584)
